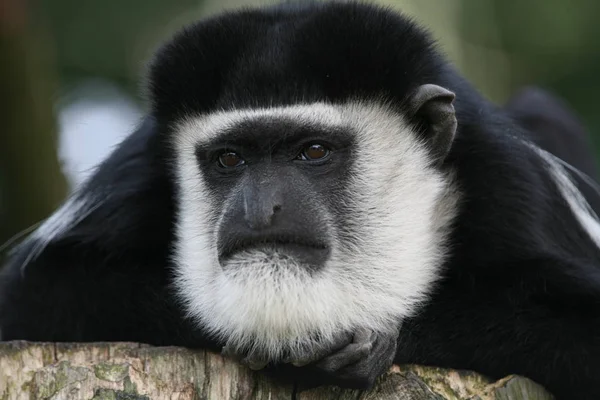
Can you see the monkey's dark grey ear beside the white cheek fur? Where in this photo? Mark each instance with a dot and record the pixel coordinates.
(431, 105)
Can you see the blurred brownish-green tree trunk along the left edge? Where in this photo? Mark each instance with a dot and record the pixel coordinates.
(31, 180)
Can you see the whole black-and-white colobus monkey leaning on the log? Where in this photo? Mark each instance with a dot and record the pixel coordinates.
(316, 190)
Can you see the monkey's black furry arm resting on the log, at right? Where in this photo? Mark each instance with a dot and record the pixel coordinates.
(539, 318)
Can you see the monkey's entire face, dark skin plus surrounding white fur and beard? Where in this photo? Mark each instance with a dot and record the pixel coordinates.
(297, 223)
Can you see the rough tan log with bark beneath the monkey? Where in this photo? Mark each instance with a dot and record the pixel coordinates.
(129, 371)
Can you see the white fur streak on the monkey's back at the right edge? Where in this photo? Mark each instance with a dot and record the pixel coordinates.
(581, 209)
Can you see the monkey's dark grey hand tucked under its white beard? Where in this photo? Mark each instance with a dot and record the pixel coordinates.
(355, 360)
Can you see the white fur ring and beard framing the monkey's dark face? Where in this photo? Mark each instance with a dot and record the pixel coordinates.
(266, 303)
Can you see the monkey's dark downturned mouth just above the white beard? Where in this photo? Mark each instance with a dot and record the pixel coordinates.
(305, 251)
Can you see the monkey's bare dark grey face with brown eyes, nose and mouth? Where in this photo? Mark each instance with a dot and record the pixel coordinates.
(278, 183)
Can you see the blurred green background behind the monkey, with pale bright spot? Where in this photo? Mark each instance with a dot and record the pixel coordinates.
(70, 73)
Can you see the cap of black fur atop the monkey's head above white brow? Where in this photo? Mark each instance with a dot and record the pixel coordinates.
(318, 52)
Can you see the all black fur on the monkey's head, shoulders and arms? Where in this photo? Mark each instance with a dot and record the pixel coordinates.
(521, 292)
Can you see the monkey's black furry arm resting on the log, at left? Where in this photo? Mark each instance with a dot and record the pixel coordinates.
(66, 295)
